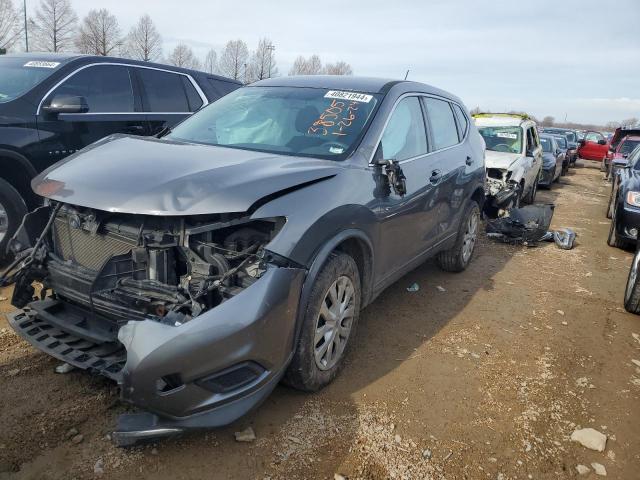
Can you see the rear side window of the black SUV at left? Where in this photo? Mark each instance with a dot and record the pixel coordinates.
(167, 92)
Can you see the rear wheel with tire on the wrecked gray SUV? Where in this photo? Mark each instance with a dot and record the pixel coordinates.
(457, 258)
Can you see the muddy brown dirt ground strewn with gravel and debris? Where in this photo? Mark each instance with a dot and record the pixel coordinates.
(483, 374)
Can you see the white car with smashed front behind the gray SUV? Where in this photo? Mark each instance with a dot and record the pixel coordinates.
(513, 158)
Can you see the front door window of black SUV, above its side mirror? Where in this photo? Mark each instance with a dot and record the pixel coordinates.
(107, 88)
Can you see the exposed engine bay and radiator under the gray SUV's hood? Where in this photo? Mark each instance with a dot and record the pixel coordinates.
(133, 267)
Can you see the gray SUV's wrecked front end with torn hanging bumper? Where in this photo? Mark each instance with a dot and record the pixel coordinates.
(193, 316)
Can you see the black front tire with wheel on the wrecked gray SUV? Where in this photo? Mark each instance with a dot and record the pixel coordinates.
(310, 370)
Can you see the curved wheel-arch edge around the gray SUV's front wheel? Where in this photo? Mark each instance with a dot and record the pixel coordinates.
(317, 264)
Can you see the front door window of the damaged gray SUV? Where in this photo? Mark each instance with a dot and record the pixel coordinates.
(405, 136)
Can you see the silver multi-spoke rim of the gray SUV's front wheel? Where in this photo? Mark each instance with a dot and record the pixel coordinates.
(333, 325)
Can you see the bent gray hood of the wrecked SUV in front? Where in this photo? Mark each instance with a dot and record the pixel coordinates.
(161, 177)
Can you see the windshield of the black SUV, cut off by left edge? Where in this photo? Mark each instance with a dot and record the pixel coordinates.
(19, 75)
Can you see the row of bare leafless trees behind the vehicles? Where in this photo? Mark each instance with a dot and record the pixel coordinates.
(55, 27)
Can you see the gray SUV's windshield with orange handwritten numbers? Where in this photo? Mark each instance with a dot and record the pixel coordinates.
(284, 120)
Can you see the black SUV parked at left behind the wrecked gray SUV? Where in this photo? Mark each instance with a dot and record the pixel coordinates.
(52, 105)
